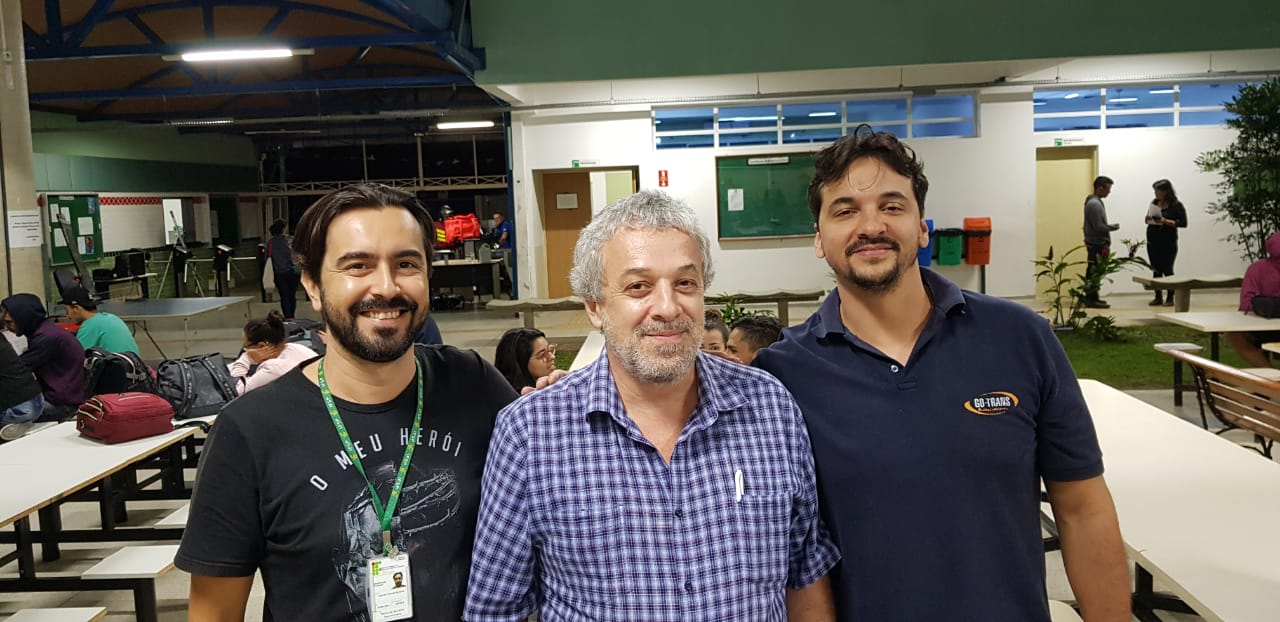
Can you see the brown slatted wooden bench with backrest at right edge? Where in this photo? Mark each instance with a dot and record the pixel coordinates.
(1238, 399)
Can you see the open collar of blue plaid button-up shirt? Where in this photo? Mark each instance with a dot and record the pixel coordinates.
(717, 392)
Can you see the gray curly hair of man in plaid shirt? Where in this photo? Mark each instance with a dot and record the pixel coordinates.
(646, 211)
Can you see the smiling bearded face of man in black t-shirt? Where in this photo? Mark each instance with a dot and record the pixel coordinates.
(373, 283)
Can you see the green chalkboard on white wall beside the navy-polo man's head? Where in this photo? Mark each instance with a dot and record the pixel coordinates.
(764, 196)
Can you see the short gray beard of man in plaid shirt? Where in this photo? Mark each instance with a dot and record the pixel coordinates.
(664, 364)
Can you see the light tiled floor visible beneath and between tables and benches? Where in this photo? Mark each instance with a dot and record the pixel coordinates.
(470, 330)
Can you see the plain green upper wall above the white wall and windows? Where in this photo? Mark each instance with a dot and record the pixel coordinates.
(572, 40)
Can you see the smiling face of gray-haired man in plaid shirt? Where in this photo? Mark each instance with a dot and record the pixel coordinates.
(652, 305)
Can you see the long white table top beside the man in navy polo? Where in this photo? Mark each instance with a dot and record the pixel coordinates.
(1196, 510)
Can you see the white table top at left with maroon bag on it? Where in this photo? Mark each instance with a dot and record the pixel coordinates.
(45, 466)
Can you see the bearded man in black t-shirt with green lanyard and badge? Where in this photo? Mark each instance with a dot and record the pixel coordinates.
(281, 492)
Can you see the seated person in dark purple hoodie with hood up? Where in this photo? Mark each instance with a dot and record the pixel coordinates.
(53, 355)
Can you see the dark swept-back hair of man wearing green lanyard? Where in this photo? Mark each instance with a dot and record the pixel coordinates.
(310, 236)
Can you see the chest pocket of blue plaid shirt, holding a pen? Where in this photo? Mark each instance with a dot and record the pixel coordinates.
(764, 527)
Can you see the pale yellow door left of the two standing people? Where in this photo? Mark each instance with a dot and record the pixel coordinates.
(1064, 177)
